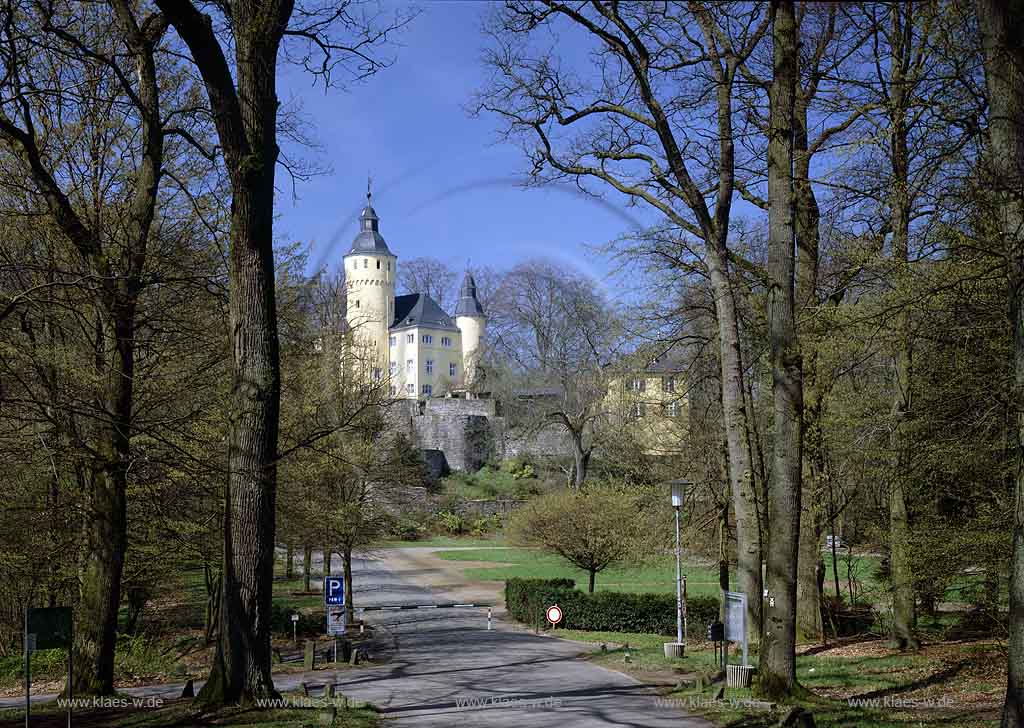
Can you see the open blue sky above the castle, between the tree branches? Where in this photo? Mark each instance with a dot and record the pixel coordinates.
(444, 183)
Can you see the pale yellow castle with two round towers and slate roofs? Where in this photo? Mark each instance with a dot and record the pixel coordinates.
(423, 351)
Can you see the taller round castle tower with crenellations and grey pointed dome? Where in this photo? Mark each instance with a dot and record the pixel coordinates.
(370, 277)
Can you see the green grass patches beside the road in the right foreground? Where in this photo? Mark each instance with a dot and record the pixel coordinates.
(825, 676)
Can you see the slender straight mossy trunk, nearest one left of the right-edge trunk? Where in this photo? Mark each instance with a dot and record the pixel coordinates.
(901, 444)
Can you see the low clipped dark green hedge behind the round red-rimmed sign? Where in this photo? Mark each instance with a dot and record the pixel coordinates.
(528, 601)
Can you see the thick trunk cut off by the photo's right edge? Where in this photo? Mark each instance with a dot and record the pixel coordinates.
(1003, 39)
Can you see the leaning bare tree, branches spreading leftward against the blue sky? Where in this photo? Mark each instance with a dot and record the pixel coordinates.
(637, 124)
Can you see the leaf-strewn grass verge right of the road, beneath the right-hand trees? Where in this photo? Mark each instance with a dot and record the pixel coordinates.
(957, 686)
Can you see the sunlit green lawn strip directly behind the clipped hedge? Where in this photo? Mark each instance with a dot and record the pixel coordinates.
(657, 577)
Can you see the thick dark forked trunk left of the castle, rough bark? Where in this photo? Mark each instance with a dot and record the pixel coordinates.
(246, 121)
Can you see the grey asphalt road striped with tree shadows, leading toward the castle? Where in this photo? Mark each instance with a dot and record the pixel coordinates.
(446, 669)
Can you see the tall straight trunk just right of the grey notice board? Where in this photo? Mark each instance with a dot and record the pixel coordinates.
(778, 669)
